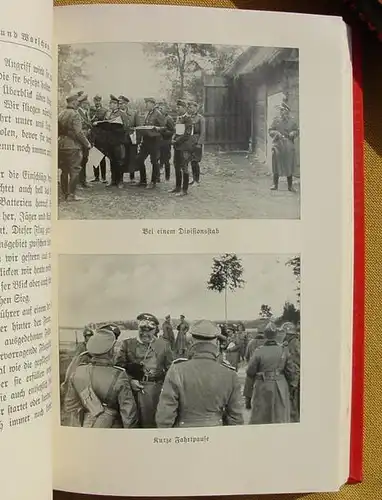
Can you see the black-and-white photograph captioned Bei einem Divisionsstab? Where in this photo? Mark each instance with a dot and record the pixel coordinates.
(178, 131)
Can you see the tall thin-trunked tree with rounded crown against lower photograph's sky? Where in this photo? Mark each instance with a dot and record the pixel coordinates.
(226, 275)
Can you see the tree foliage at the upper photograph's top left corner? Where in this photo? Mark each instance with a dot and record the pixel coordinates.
(71, 70)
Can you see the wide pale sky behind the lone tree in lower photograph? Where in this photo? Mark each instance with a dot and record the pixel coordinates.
(119, 287)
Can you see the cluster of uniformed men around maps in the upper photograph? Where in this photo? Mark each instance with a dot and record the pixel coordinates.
(127, 140)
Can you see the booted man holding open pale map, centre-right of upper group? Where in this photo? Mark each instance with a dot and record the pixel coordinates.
(150, 143)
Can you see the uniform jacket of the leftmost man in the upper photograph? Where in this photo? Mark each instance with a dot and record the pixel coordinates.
(70, 133)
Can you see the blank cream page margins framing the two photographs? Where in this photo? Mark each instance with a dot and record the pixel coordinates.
(315, 449)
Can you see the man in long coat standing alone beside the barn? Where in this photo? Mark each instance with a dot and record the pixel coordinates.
(283, 132)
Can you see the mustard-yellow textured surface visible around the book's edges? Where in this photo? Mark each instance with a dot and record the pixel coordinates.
(371, 488)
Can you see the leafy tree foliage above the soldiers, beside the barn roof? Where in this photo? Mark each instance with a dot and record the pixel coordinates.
(186, 63)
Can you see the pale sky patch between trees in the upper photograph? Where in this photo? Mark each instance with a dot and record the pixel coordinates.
(121, 68)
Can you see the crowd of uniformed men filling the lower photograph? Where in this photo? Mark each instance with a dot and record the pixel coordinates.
(159, 379)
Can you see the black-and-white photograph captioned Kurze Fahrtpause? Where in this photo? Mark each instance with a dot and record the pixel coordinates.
(161, 341)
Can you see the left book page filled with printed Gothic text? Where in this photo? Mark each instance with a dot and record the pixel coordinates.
(25, 266)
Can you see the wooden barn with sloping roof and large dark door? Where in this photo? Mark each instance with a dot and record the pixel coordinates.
(240, 105)
